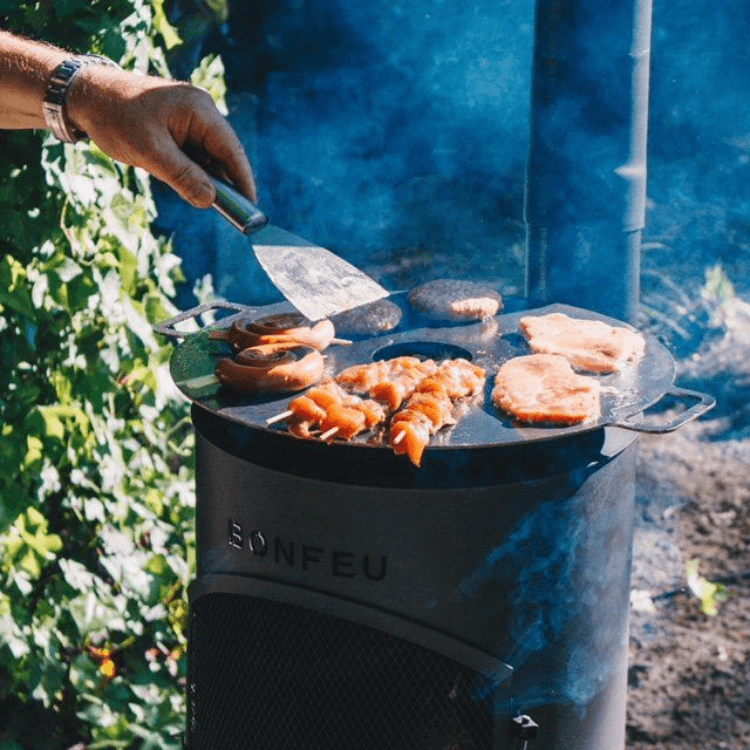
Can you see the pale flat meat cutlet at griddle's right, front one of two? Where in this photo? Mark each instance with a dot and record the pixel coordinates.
(544, 389)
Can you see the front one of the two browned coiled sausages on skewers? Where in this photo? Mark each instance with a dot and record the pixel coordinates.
(272, 367)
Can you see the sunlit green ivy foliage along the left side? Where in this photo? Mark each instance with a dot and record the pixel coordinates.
(96, 481)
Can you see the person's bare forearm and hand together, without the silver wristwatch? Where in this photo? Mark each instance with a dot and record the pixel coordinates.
(140, 120)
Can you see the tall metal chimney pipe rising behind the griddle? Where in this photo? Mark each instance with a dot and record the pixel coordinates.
(585, 199)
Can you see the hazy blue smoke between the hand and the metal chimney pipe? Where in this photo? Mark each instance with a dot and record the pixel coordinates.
(386, 126)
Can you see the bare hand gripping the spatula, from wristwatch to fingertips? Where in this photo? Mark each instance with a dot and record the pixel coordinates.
(149, 122)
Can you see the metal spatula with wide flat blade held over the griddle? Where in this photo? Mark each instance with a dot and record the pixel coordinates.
(317, 282)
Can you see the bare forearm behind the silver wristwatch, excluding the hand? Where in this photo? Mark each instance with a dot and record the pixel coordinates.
(25, 71)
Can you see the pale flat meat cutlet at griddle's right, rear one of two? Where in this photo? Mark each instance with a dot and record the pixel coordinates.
(589, 345)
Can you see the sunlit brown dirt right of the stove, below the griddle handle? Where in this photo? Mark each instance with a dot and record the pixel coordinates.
(689, 672)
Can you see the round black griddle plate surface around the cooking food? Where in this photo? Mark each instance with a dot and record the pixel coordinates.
(488, 343)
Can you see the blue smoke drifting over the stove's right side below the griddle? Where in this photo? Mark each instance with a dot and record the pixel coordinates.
(564, 579)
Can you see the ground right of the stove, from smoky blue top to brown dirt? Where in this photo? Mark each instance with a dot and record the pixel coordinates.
(689, 672)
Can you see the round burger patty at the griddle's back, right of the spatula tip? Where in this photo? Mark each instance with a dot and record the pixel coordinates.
(455, 300)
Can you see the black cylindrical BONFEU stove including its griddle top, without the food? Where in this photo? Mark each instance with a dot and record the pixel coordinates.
(348, 600)
